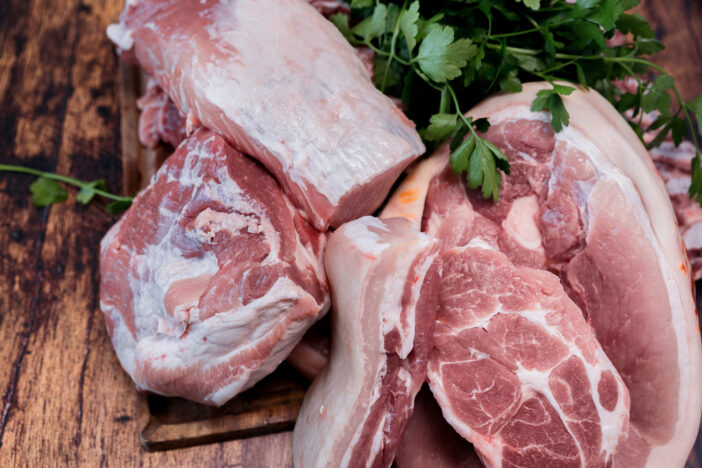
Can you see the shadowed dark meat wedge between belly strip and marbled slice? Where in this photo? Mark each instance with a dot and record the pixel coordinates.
(430, 442)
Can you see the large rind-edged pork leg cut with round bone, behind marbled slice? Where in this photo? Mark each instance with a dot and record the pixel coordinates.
(588, 204)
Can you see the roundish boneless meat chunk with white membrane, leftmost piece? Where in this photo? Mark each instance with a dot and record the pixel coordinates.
(211, 277)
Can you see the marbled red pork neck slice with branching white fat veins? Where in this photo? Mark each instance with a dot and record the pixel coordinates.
(517, 370)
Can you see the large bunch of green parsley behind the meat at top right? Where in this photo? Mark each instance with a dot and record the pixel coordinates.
(443, 56)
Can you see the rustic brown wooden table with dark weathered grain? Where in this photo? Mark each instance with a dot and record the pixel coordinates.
(65, 400)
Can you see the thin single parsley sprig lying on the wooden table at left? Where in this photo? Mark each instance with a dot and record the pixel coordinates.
(47, 190)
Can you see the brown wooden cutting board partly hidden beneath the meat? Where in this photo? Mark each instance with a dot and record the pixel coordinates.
(167, 423)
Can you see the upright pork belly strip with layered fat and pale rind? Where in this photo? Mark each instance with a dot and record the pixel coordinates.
(384, 277)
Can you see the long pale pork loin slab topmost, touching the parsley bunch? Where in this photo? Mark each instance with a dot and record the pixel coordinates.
(286, 88)
